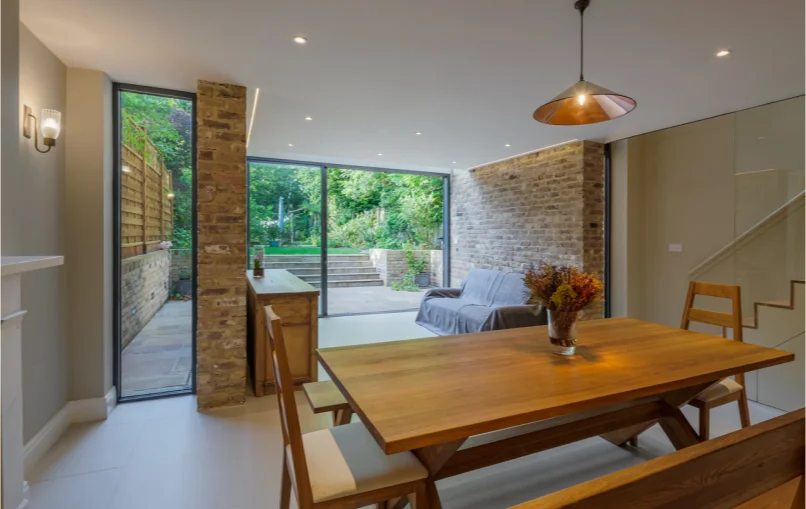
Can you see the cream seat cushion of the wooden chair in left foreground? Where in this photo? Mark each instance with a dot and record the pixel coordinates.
(346, 460)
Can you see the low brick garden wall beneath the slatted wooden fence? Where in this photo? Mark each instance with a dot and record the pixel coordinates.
(144, 289)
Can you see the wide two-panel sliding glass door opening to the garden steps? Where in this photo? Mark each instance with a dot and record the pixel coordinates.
(370, 240)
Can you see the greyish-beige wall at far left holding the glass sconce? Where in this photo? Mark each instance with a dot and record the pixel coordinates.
(40, 202)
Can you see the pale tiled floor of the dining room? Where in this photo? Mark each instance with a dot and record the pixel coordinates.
(164, 455)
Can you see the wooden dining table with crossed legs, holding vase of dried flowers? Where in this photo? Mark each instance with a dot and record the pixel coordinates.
(468, 401)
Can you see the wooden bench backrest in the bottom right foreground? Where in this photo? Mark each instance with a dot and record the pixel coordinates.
(762, 465)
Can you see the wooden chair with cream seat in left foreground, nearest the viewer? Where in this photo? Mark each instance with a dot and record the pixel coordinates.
(340, 467)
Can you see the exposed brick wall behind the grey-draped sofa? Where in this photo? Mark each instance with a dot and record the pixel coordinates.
(542, 207)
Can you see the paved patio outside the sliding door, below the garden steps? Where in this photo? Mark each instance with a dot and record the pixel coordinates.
(370, 299)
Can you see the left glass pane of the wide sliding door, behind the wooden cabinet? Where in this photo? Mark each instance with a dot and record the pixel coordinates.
(285, 219)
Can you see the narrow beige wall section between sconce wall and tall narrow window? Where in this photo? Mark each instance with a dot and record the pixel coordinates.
(88, 231)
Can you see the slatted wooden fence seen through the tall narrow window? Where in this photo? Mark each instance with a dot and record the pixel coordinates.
(146, 210)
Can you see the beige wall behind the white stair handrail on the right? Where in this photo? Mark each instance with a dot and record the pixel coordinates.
(701, 185)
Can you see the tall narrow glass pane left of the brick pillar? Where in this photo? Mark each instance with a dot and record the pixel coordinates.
(156, 231)
